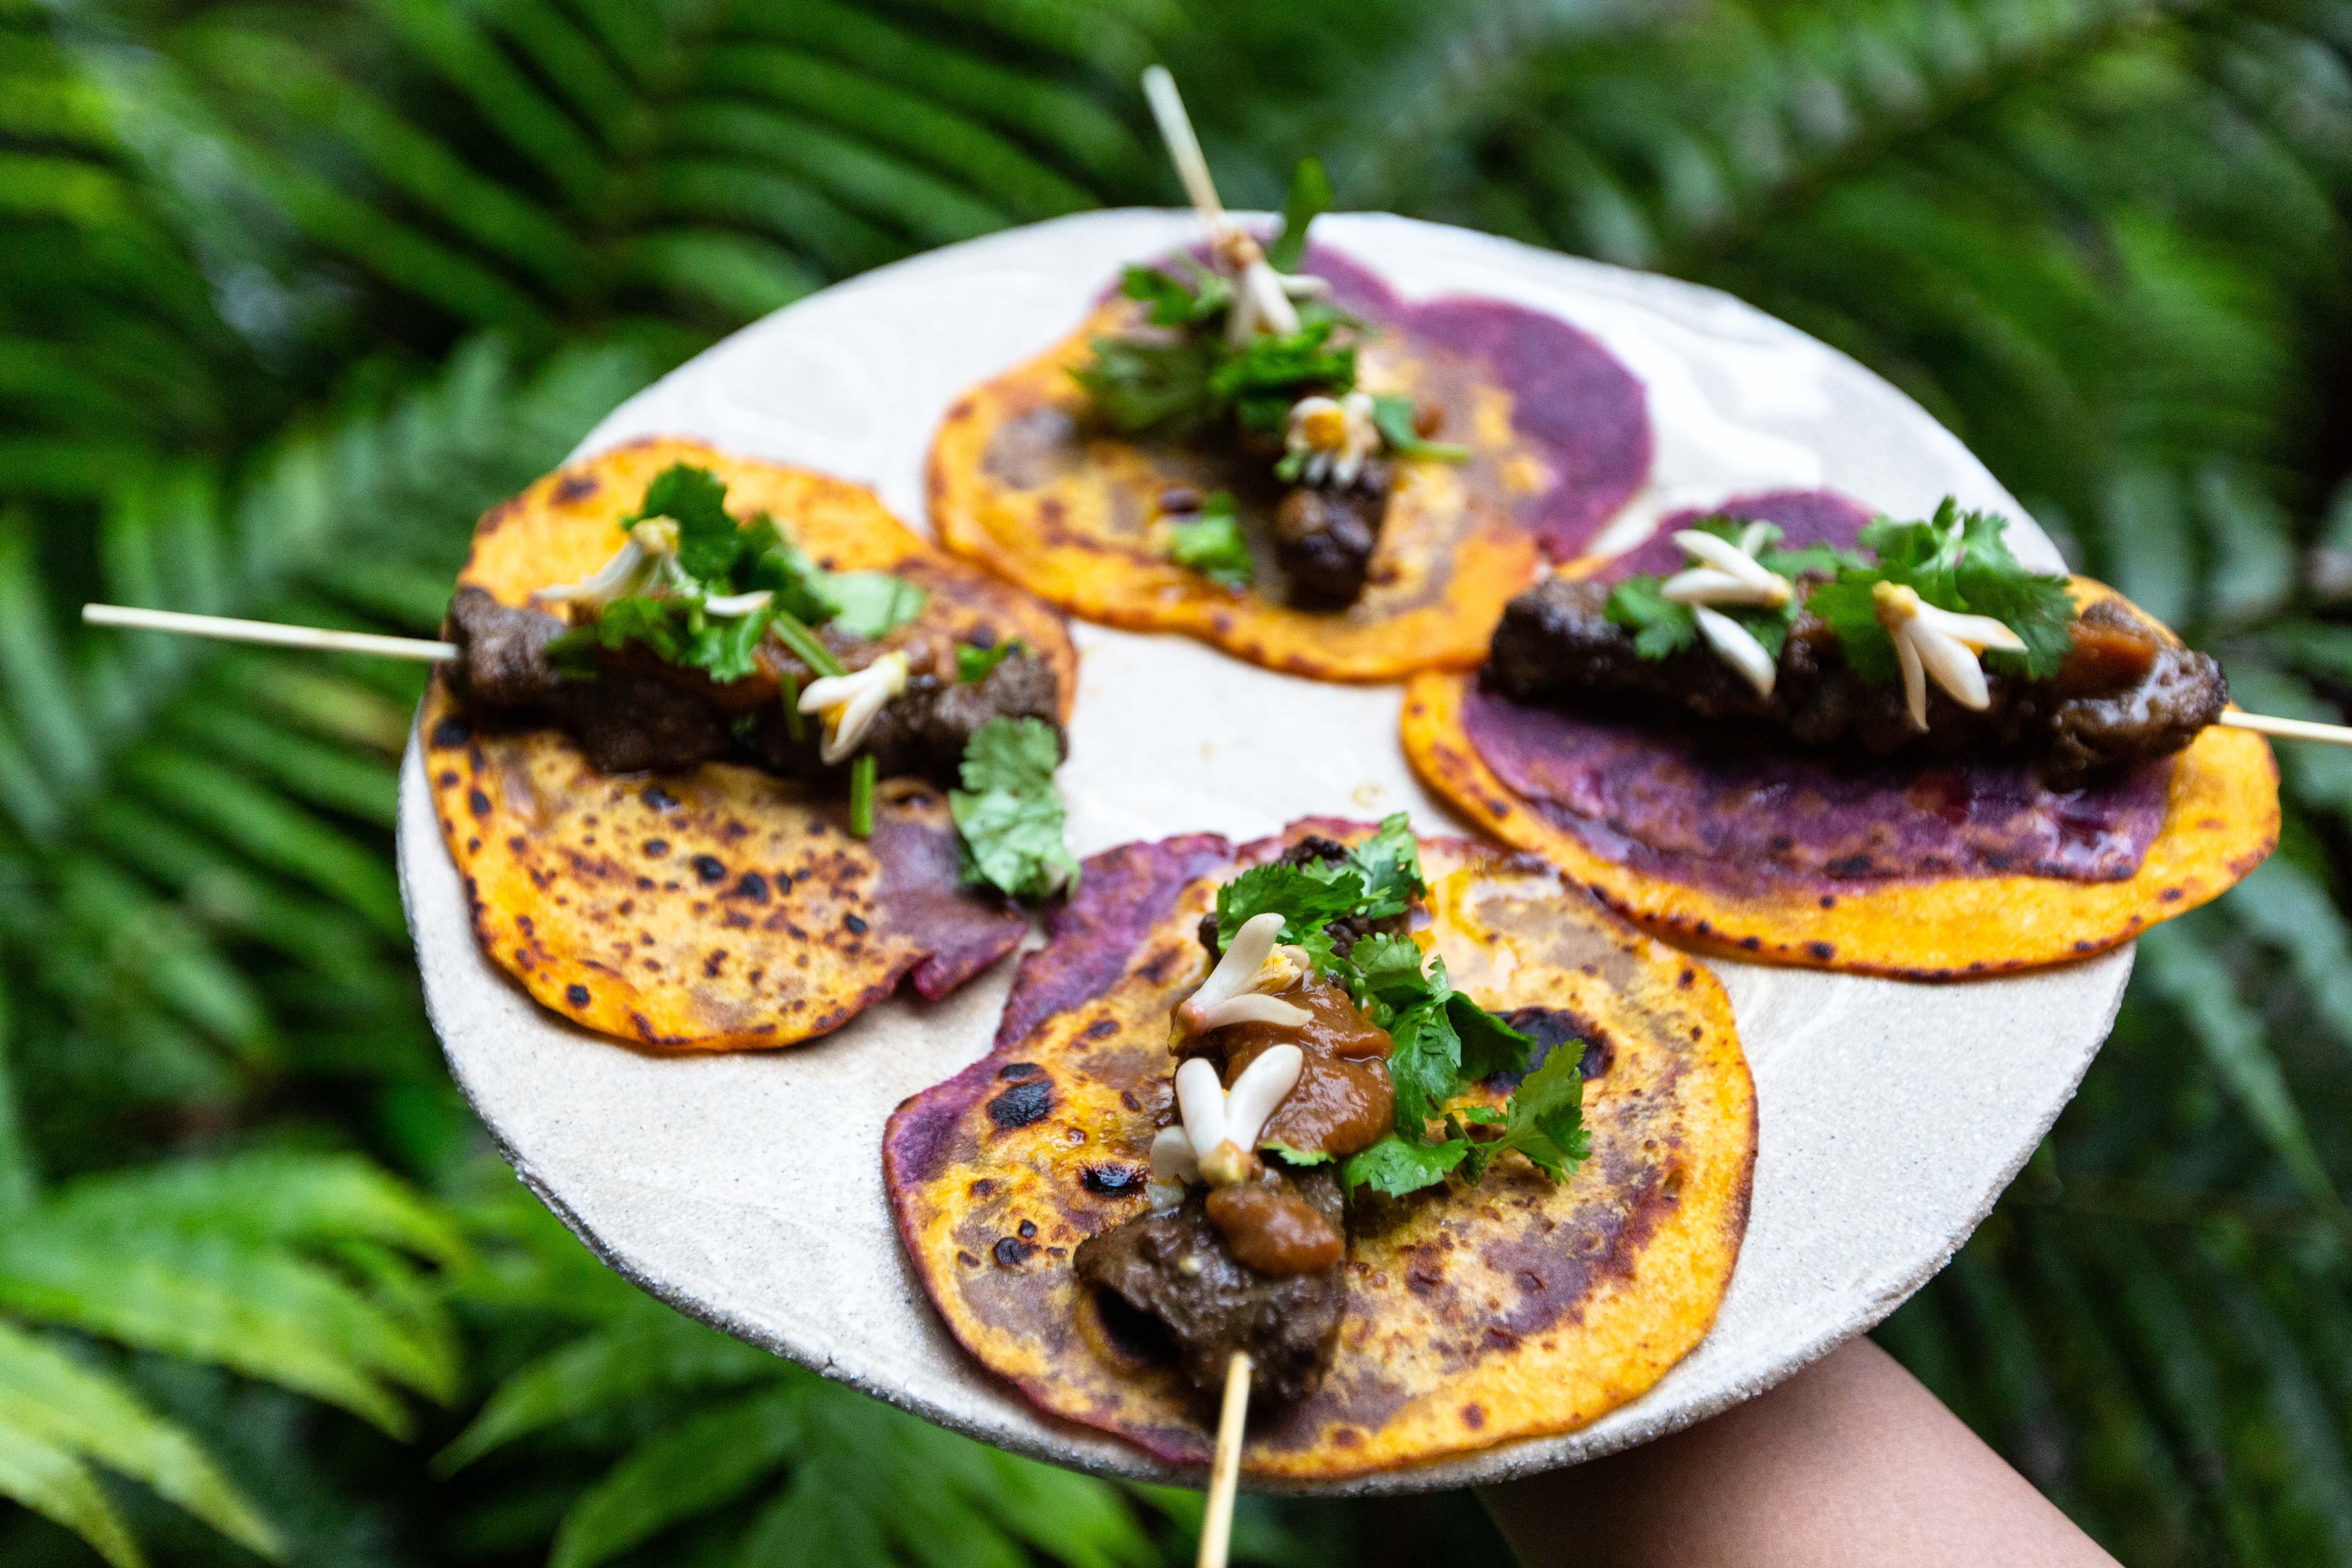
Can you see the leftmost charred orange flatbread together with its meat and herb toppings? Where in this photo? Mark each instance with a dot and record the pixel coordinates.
(695, 873)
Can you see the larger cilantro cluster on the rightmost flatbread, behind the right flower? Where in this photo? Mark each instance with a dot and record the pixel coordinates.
(1960, 563)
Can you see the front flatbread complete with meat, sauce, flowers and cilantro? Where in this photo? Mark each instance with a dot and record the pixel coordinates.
(1370, 1336)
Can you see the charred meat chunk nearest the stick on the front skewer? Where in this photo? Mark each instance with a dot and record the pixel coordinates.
(1180, 1273)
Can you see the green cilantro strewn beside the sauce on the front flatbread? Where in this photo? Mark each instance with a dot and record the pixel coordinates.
(1441, 1038)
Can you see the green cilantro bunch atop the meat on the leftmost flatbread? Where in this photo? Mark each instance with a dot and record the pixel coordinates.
(721, 558)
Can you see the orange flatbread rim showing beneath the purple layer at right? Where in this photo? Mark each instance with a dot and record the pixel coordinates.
(2221, 819)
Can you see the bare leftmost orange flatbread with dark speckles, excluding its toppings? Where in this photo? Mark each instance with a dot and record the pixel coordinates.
(714, 909)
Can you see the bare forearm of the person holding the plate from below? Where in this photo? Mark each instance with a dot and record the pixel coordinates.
(1850, 1463)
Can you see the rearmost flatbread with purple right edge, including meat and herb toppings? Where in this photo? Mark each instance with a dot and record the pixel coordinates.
(1304, 518)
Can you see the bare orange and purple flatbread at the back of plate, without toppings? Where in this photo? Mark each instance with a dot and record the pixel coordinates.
(1558, 431)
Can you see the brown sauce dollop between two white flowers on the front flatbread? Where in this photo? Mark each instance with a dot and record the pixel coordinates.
(1344, 1099)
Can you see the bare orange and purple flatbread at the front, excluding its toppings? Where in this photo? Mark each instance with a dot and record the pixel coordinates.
(1476, 1315)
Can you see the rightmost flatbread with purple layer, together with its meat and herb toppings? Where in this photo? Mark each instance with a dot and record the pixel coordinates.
(1855, 744)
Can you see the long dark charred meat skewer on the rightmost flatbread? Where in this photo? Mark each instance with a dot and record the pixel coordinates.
(2125, 695)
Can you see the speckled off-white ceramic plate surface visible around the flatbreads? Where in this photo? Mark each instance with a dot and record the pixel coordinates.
(747, 1191)
